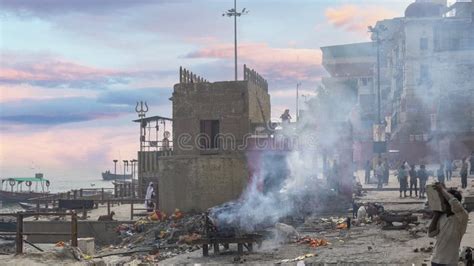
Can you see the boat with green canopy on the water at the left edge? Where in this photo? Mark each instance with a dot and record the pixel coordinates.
(13, 191)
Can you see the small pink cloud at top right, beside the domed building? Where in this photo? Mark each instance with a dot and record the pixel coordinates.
(356, 18)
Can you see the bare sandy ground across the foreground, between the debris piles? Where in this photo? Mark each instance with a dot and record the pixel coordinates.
(361, 245)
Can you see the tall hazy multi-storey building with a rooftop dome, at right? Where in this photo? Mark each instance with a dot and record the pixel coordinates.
(426, 82)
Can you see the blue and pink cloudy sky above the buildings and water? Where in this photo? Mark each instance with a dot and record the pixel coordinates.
(71, 71)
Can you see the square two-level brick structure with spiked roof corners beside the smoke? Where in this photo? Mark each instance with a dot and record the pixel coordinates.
(210, 123)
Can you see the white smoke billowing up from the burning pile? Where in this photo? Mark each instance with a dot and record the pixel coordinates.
(293, 183)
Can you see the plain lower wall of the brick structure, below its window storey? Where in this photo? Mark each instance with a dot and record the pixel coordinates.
(200, 182)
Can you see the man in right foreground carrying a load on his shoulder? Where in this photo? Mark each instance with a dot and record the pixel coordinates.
(448, 227)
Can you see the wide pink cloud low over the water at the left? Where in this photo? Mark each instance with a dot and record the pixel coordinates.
(66, 152)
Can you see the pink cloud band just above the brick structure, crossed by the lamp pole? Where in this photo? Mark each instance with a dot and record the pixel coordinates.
(275, 63)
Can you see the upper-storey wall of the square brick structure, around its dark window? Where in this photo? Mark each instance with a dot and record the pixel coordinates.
(236, 104)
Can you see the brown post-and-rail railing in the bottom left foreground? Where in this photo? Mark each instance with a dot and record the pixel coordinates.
(20, 233)
